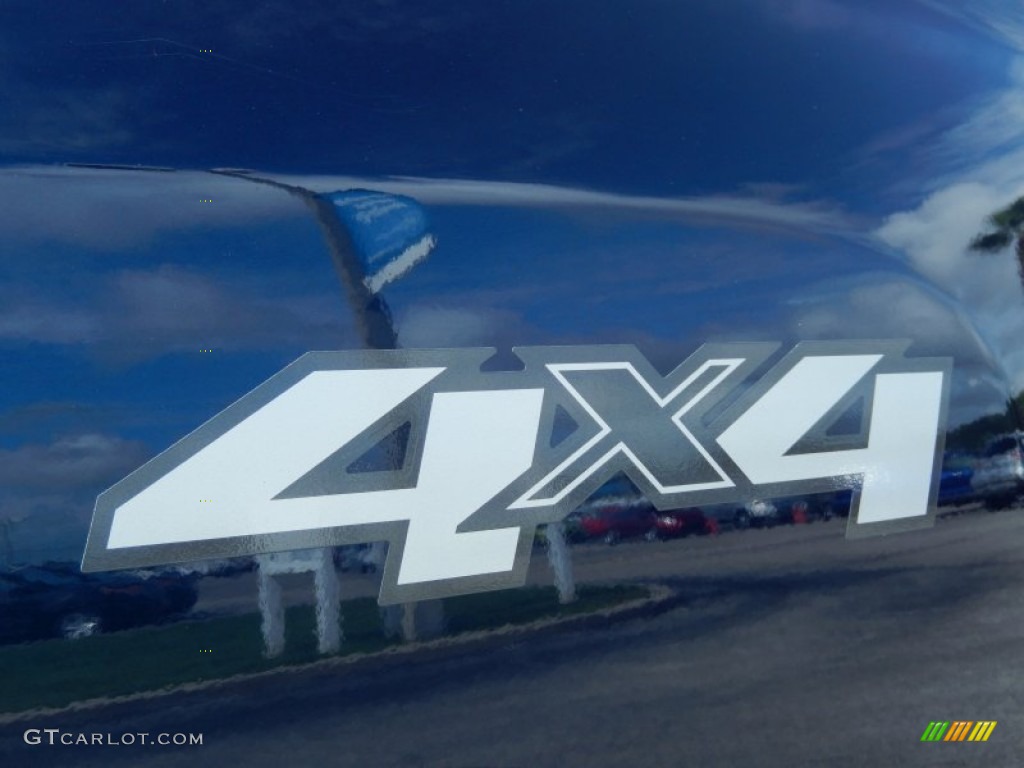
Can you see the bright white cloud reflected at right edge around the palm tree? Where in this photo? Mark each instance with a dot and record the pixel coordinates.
(984, 161)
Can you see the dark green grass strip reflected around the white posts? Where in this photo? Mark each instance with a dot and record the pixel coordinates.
(56, 673)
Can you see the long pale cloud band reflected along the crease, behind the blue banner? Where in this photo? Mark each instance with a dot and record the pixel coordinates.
(121, 209)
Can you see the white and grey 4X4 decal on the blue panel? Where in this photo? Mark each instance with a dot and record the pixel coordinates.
(470, 462)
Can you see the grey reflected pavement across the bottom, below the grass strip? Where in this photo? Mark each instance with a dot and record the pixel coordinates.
(788, 648)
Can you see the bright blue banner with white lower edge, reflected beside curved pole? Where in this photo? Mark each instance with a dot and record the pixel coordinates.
(390, 232)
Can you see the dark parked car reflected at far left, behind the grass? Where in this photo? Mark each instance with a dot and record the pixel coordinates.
(57, 600)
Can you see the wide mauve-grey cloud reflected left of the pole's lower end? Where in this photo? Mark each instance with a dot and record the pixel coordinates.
(144, 313)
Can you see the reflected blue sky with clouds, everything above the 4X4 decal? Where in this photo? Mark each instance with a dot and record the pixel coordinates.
(649, 174)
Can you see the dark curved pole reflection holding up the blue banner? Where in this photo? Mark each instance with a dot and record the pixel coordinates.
(376, 329)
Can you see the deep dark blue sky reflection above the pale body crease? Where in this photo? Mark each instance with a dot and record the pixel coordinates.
(659, 98)
